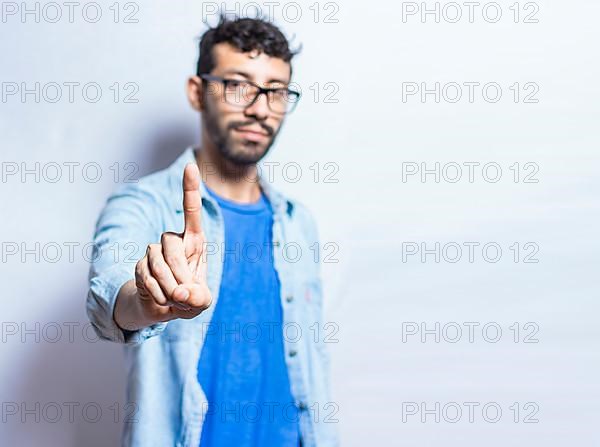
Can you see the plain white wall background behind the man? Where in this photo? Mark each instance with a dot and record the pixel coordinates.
(371, 213)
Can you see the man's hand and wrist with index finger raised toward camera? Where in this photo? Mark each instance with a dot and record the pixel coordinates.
(170, 280)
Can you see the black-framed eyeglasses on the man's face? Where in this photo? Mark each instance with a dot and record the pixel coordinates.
(245, 93)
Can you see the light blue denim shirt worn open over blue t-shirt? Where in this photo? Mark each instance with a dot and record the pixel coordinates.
(162, 359)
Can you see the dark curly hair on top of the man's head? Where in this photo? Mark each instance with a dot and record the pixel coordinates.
(245, 34)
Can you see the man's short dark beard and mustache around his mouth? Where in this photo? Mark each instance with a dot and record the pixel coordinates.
(238, 152)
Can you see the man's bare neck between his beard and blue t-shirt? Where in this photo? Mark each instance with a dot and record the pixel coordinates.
(232, 182)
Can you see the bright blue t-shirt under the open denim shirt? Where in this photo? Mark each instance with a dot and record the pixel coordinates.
(242, 366)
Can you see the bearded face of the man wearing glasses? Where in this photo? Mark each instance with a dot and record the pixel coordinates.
(242, 134)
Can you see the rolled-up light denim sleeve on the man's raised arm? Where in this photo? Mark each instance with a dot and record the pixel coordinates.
(125, 227)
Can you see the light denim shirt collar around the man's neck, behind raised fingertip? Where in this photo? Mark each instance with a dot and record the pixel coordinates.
(280, 204)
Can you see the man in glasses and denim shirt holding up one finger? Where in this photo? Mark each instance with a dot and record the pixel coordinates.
(220, 326)
